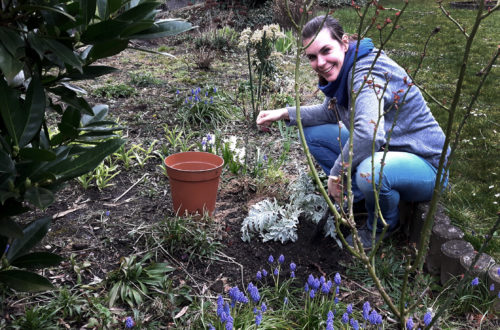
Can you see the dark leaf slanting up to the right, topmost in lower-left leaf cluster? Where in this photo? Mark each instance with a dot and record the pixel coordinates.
(32, 234)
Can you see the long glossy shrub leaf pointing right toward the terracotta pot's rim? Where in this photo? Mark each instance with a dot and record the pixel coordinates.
(87, 161)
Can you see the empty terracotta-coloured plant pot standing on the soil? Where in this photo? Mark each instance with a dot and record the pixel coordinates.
(194, 180)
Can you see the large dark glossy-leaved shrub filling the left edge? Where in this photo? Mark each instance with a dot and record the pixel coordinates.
(44, 47)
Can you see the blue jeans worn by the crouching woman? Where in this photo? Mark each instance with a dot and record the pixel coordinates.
(405, 176)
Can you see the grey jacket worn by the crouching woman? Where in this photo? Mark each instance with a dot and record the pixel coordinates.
(382, 100)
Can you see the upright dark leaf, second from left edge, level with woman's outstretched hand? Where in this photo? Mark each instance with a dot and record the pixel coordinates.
(30, 118)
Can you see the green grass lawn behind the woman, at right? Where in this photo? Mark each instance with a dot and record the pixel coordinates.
(472, 201)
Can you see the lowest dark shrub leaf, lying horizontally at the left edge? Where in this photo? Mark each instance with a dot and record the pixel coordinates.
(24, 281)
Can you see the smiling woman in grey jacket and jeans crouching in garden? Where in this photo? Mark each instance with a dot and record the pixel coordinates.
(416, 140)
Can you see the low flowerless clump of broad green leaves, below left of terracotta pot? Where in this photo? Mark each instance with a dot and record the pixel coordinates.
(133, 280)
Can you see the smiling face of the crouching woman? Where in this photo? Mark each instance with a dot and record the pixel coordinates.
(326, 54)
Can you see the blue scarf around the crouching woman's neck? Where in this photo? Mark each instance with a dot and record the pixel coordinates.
(338, 88)
